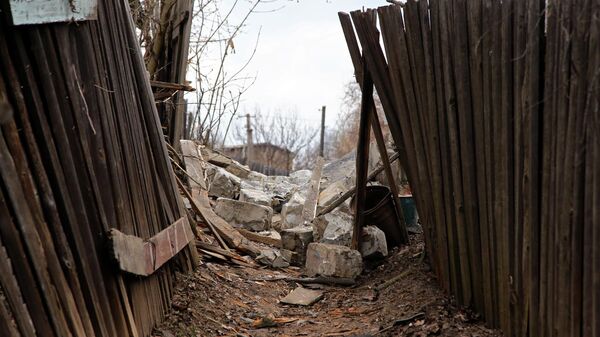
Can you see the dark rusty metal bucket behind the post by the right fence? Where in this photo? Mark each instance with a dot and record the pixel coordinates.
(380, 211)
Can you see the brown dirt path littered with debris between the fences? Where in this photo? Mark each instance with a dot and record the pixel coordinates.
(223, 300)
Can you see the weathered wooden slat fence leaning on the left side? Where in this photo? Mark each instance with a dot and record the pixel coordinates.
(81, 152)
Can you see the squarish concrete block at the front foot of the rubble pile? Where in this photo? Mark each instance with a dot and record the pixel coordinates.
(333, 261)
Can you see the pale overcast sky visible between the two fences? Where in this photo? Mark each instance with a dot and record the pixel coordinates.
(302, 61)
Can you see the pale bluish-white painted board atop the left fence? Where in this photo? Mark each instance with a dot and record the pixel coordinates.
(26, 12)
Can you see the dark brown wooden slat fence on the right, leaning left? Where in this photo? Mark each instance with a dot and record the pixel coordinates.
(494, 106)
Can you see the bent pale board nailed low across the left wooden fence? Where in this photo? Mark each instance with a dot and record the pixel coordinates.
(143, 257)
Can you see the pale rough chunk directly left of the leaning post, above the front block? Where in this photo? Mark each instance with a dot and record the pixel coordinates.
(338, 228)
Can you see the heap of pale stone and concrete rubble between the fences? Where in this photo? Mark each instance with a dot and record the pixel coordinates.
(272, 206)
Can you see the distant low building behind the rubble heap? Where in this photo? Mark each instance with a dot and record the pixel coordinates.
(268, 159)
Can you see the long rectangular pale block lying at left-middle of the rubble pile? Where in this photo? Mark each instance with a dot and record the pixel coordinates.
(245, 215)
